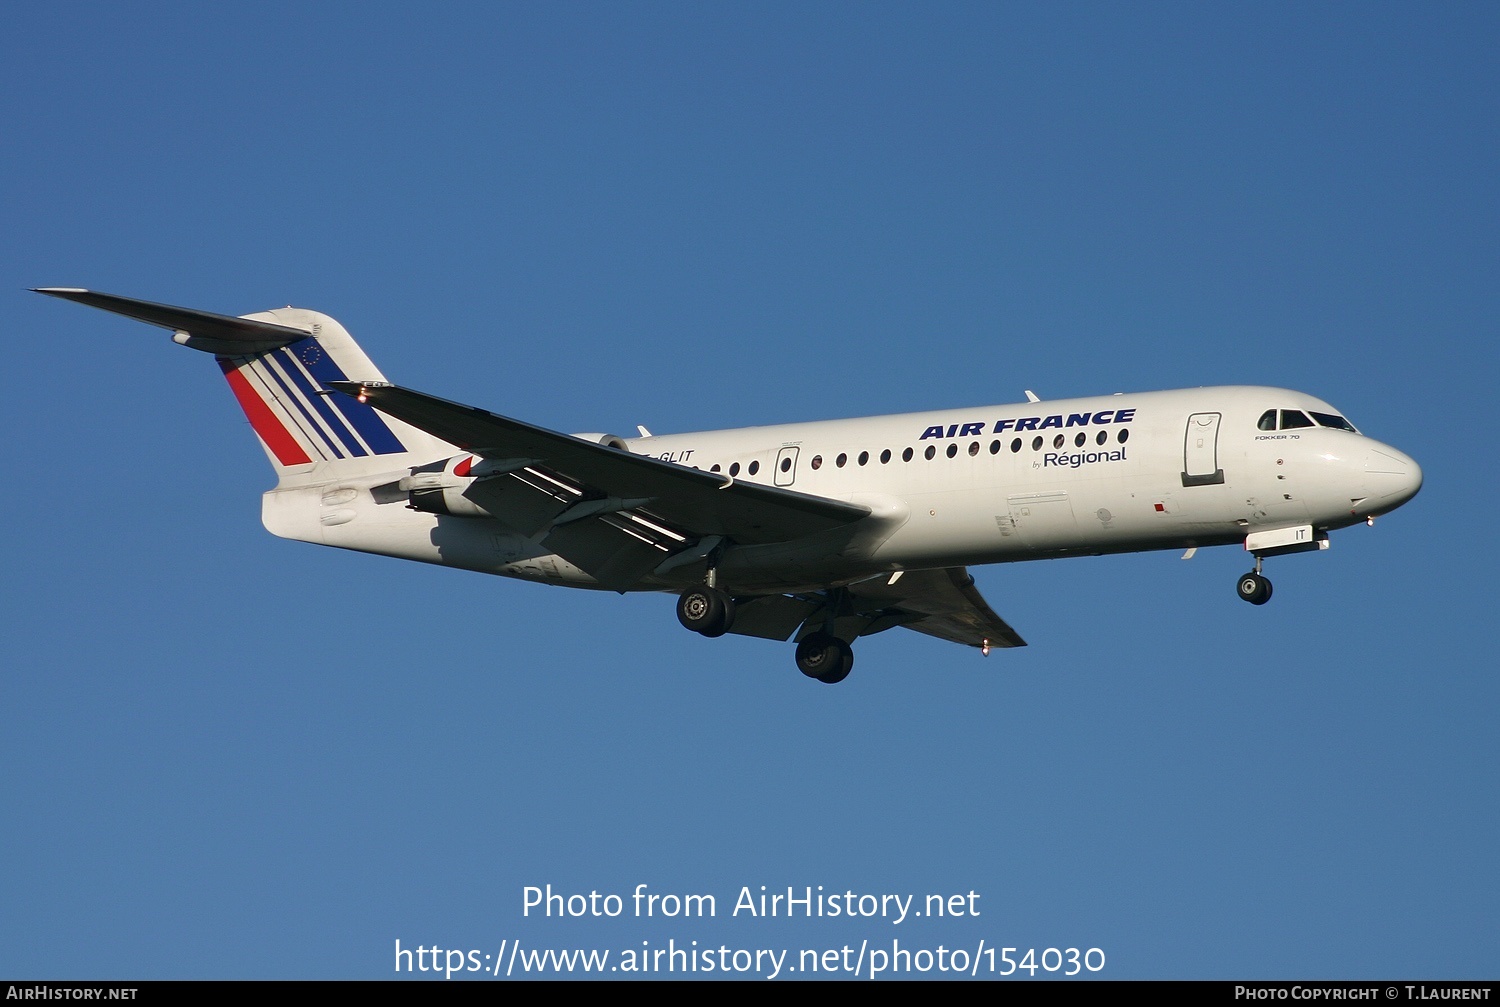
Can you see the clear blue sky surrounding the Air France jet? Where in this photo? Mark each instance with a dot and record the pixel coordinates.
(227, 756)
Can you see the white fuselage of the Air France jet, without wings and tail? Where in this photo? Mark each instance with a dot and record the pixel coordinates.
(1121, 473)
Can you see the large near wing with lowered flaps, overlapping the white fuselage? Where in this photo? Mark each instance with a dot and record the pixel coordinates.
(613, 514)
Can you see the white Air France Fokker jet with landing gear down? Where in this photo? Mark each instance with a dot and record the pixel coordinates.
(821, 532)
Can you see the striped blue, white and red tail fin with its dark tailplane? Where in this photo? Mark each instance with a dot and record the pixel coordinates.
(280, 365)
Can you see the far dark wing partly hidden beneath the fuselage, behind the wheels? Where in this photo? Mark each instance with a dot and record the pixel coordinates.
(941, 604)
